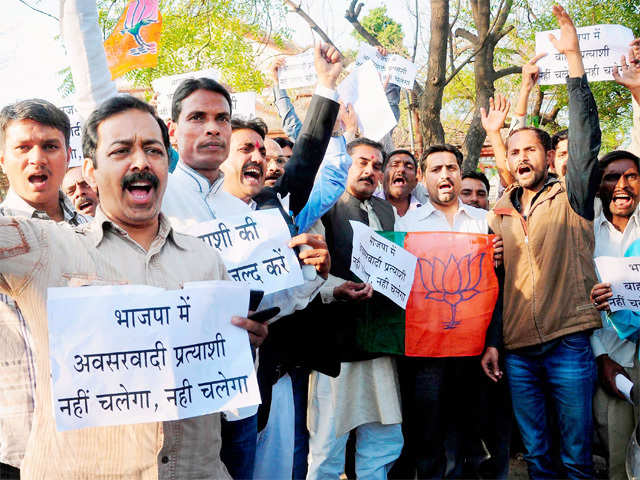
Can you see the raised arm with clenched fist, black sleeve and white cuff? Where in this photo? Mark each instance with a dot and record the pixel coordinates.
(311, 145)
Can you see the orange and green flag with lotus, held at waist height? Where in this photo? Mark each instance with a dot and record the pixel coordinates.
(451, 302)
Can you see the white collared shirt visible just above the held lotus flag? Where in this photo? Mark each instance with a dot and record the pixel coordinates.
(428, 218)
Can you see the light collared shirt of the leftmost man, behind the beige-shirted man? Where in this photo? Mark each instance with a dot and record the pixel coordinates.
(17, 367)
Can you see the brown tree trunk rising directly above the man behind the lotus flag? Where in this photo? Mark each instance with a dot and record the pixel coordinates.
(431, 98)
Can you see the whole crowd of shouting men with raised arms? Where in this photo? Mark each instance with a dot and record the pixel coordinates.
(551, 355)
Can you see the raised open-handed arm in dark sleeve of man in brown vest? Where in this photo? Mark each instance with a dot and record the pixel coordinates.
(583, 176)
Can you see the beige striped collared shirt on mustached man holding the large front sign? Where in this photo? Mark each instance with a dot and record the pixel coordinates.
(35, 255)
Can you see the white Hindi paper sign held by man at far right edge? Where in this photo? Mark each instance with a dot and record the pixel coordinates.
(623, 273)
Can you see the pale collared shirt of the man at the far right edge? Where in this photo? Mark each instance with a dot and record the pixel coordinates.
(610, 242)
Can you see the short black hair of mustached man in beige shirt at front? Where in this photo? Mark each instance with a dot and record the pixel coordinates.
(109, 108)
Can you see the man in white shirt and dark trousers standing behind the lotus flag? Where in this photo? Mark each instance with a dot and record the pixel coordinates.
(431, 398)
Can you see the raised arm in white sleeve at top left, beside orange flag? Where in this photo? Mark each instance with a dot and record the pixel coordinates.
(85, 51)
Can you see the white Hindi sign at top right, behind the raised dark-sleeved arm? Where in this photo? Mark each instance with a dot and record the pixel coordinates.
(601, 47)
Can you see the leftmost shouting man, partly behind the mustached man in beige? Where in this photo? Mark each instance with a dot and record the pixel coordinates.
(34, 137)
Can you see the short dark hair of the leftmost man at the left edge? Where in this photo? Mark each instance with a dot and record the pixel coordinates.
(37, 110)
